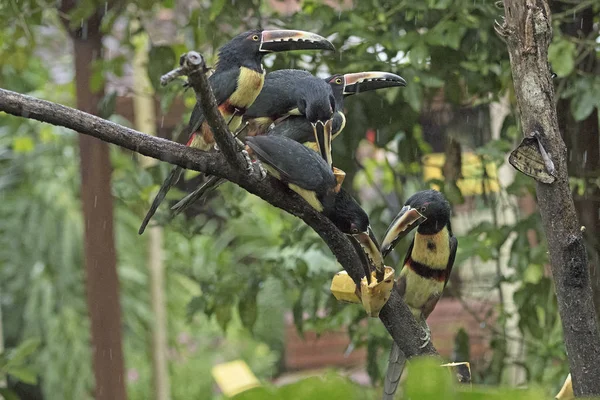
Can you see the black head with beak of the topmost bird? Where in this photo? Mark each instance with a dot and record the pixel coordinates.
(247, 49)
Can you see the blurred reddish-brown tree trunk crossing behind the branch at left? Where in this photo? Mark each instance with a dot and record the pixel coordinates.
(102, 283)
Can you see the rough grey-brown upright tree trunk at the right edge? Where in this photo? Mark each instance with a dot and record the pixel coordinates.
(527, 31)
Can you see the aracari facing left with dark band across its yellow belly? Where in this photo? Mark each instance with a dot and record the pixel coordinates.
(426, 268)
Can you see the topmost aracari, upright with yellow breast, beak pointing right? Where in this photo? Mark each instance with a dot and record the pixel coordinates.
(236, 82)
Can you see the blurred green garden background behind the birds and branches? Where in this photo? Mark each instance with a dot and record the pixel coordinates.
(244, 280)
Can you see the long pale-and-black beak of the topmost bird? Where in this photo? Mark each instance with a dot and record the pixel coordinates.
(286, 40)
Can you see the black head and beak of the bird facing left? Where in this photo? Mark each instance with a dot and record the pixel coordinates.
(428, 210)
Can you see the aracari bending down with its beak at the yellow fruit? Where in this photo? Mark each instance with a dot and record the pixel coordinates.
(308, 174)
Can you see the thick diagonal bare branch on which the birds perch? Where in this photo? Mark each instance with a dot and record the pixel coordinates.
(395, 315)
